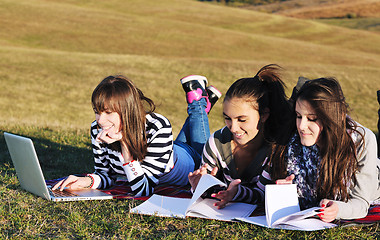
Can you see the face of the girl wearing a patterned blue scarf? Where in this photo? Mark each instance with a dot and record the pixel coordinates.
(308, 125)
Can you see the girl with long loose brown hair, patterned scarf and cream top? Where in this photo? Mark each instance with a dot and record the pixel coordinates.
(332, 159)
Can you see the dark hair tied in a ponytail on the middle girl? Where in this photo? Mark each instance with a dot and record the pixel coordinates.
(265, 91)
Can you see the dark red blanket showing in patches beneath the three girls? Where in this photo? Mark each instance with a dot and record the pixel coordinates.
(121, 190)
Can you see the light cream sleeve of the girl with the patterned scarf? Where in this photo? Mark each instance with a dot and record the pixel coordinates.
(367, 187)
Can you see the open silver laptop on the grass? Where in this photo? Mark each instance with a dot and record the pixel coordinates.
(31, 178)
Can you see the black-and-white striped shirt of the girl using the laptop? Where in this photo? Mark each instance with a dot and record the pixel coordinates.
(143, 175)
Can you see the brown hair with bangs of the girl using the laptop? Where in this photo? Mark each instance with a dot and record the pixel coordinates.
(119, 94)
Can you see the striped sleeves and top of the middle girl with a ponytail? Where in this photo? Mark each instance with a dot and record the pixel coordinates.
(218, 153)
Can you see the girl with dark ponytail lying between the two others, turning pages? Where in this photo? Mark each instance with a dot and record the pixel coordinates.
(255, 110)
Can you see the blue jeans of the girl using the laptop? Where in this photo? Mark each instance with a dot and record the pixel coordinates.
(188, 146)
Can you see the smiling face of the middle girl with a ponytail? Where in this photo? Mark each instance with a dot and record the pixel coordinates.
(242, 120)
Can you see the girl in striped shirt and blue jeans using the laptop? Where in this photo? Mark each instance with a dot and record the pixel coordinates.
(129, 139)
